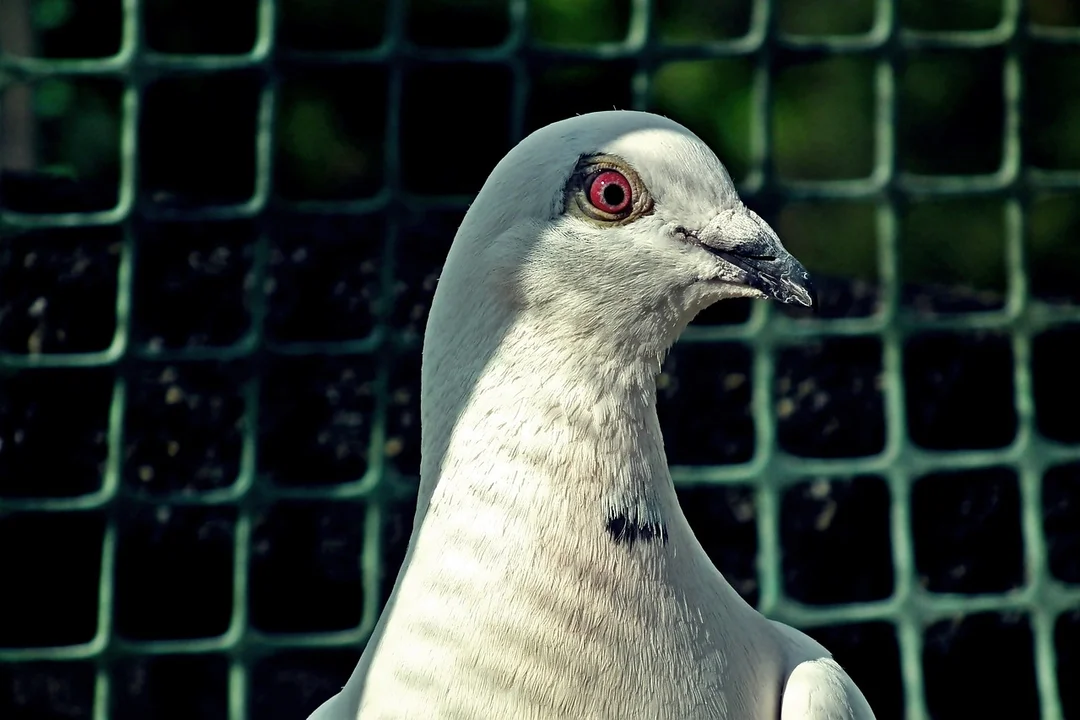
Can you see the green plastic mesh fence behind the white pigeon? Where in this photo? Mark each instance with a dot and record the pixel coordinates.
(246, 390)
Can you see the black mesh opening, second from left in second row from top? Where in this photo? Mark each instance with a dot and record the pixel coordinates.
(197, 140)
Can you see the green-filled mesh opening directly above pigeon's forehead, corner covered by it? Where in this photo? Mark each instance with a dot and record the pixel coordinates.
(713, 100)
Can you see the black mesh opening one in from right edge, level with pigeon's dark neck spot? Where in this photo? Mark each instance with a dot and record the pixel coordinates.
(967, 532)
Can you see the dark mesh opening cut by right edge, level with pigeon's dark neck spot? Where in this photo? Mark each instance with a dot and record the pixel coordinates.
(1061, 521)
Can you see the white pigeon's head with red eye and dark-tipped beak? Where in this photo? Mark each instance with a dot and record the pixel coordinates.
(622, 223)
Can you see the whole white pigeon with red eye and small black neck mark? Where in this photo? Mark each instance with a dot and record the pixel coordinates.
(551, 573)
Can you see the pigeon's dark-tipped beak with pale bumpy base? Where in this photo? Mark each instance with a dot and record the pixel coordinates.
(766, 265)
